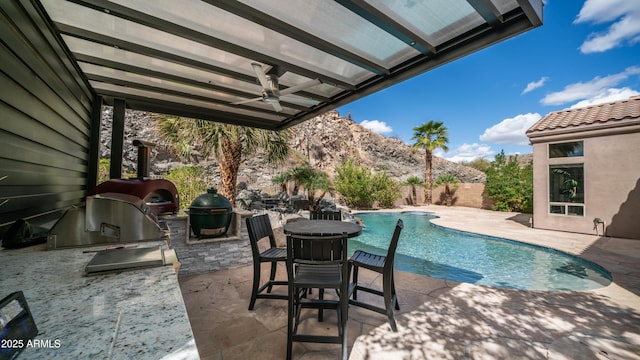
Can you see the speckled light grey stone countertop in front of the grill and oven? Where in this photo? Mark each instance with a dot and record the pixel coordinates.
(136, 314)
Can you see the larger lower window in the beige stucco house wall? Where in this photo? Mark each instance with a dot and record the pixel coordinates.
(566, 189)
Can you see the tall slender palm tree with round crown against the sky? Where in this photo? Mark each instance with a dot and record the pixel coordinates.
(430, 136)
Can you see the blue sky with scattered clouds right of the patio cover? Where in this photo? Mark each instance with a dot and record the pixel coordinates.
(586, 52)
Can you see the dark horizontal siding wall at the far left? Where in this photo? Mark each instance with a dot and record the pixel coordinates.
(45, 117)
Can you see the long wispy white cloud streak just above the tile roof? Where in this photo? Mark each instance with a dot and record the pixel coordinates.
(589, 89)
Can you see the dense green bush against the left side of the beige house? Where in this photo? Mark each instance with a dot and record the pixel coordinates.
(509, 185)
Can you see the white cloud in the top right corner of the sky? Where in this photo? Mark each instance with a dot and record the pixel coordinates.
(625, 15)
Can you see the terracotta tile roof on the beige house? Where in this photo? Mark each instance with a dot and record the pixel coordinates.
(628, 109)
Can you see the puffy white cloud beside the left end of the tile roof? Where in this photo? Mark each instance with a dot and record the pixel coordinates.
(511, 131)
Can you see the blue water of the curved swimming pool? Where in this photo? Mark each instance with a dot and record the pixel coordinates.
(437, 252)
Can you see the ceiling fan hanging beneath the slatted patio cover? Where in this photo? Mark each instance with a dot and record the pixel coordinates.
(271, 93)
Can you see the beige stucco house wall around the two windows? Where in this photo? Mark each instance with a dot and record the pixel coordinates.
(611, 184)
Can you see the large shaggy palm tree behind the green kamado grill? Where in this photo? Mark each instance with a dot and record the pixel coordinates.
(230, 144)
